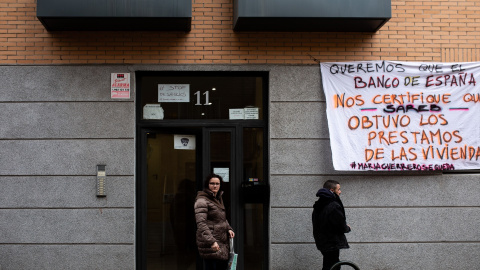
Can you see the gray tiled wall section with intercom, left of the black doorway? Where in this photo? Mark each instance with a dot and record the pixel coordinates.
(58, 123)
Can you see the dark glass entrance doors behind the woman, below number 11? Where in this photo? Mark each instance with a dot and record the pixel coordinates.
(174, 157)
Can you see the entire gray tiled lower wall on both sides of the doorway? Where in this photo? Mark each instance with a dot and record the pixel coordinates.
(58, 123)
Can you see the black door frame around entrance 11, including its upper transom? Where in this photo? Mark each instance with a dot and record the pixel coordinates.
(142, 126)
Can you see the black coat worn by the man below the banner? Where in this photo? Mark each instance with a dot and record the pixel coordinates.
(329, 222)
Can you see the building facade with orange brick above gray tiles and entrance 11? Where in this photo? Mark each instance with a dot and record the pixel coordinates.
(60, 122)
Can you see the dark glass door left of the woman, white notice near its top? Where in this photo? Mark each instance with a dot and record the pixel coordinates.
(172, 173)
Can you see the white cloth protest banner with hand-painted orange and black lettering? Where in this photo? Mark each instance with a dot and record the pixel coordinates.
(386, 115)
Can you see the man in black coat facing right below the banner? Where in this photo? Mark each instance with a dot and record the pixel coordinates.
(329, 223)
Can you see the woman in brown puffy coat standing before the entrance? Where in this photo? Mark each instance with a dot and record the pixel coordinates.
(213, 229)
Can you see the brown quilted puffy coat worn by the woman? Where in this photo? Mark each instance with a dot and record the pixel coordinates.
(212, 225)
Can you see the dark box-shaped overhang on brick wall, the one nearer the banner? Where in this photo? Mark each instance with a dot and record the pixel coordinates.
(311, 15)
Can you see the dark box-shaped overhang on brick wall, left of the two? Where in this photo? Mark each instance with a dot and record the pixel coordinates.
(168, 15)
